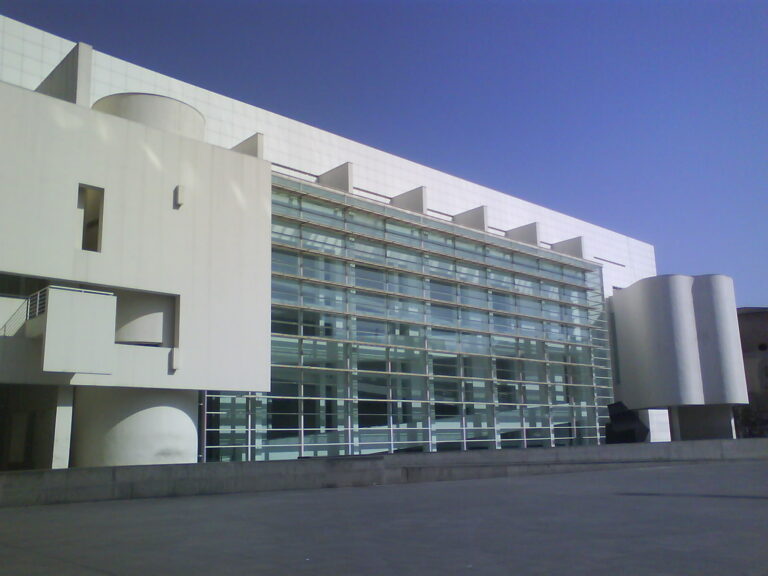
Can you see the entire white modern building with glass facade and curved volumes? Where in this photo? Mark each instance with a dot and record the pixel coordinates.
(186, 277)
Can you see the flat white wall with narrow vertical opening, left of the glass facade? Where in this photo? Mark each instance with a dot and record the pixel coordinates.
(213, 252)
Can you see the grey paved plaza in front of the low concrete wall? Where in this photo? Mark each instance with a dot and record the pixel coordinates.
(697, 519)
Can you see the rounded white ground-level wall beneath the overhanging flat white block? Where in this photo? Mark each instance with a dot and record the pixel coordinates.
(126, 427)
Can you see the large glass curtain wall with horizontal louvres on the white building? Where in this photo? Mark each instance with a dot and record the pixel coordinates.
(393, 331)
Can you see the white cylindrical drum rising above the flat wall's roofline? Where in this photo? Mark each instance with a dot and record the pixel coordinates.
(161, 112)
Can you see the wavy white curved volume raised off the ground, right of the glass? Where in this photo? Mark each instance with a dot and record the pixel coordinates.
(678, 342)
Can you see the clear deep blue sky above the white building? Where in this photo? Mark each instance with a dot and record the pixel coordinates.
(646, 117)
